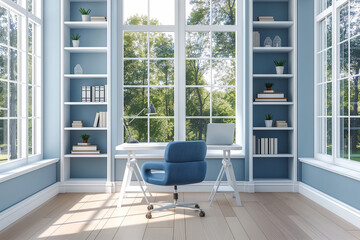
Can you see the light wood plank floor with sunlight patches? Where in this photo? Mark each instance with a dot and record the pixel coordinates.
(263, 216)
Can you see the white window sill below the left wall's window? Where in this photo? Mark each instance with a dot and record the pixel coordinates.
(5, 176)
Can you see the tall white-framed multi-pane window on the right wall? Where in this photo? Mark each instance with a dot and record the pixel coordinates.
(337, 85)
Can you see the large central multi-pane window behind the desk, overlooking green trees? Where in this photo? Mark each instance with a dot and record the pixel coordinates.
(186, 65)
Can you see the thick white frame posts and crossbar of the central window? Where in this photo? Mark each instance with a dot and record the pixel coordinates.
(180, 28)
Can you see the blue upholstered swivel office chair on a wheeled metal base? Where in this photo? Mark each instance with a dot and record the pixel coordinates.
(184, 164)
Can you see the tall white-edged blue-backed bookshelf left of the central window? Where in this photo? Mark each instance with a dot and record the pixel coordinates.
(69, 23)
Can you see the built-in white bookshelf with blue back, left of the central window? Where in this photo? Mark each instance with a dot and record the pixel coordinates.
(94, 55)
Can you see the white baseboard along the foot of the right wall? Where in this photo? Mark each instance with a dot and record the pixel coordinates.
(341, 209)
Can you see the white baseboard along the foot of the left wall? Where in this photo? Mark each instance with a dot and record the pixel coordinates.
(14, 213)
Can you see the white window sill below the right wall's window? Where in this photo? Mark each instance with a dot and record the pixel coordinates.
(332, 168)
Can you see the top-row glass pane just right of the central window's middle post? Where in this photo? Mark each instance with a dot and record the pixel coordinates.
(198, 12)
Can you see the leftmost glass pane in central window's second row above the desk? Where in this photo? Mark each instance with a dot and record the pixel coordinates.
(135, 100)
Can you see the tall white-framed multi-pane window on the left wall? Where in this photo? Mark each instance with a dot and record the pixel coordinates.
(20, 80)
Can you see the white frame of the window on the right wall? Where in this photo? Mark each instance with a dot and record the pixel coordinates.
(334, 11)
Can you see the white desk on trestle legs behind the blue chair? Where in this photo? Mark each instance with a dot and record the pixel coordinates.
(133, 167)
